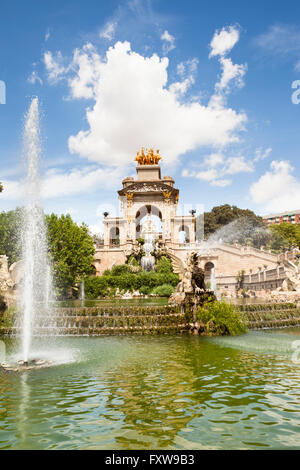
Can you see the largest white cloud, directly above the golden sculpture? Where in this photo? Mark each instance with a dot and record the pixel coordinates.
(134, 106)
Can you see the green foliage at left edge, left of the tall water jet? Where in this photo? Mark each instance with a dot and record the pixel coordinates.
(10, 223)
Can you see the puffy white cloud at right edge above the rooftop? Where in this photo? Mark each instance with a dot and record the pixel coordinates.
(278, 189)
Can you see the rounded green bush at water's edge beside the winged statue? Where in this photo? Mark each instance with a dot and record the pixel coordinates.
(221, 318)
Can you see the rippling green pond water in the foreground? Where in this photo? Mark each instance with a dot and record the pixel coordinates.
(168, 392)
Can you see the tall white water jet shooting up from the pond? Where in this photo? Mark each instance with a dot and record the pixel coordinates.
(35, 292)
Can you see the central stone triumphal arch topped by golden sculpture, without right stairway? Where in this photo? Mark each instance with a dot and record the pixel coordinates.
(148, 196)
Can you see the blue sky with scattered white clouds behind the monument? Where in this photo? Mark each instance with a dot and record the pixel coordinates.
(208, 83)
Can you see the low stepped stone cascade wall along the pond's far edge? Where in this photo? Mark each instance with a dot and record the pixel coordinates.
(118, 320)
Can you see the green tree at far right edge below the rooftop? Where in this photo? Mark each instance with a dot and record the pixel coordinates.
(284, 236)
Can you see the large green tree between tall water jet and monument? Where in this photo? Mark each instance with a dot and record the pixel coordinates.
(71, 250)
